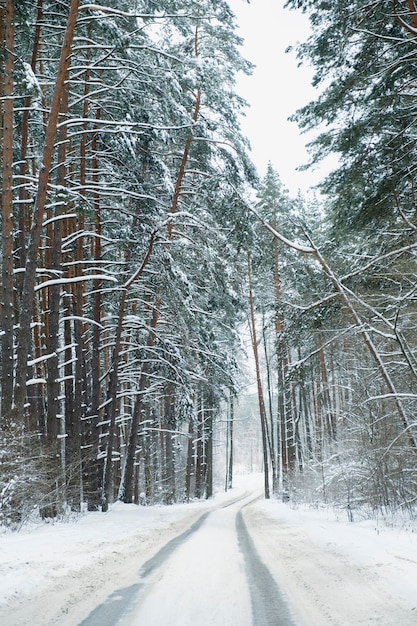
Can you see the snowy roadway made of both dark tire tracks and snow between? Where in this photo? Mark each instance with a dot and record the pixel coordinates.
(211, 574)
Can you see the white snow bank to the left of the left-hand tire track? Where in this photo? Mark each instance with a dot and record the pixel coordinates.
(56, 573)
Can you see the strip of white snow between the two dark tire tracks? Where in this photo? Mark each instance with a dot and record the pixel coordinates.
(204, 579)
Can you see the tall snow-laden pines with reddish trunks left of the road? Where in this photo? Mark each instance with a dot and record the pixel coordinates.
(131, 319)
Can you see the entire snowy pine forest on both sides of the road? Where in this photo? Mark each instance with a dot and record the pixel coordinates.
(139, 244)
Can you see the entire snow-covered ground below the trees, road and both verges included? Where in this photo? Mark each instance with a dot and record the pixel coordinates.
(236, 560)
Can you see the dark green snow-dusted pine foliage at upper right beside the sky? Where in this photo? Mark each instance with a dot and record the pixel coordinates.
(364, 57)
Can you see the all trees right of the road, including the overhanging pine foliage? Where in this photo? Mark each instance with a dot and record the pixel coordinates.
(350, 375)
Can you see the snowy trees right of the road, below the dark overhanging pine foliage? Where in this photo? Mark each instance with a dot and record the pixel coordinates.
(341, 400)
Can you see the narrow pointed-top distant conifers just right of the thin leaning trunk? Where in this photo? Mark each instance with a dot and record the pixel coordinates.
(278, 277)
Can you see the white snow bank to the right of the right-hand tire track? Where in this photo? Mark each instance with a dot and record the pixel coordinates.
(339, 572)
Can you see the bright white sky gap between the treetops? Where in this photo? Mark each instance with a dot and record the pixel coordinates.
(276, 88)
